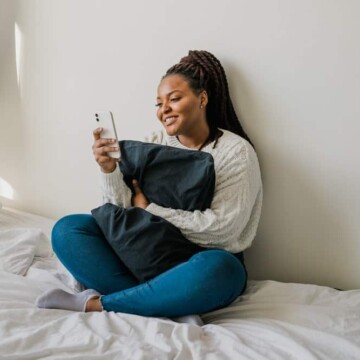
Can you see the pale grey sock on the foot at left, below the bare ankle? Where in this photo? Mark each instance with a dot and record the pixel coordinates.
(60, 299)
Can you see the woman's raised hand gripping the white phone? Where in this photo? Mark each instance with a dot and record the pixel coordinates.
(101, 147)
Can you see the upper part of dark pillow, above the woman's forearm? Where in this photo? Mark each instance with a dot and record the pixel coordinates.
(168, 176)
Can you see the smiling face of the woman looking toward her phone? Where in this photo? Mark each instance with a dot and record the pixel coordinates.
(179, 108)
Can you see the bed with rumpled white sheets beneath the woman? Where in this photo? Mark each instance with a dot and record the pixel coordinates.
(272, 320)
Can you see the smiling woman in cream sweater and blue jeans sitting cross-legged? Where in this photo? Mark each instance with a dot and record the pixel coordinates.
(195, 109)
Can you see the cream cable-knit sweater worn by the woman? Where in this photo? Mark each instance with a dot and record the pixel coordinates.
(233, 218)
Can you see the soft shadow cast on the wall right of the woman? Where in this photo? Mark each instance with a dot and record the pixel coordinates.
(301, 229)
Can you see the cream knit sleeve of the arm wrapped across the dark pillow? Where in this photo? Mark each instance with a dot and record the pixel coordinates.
(237, 187)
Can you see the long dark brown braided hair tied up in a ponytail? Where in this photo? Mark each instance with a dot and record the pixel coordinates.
(203, 71)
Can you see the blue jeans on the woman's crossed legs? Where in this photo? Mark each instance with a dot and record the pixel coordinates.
(209, 280)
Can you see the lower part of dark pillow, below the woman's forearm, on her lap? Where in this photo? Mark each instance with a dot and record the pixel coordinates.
(147, 244)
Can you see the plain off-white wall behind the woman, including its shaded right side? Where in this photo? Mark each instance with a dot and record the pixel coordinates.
(293, 69)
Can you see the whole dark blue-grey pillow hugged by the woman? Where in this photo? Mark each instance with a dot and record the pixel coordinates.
(174, 178)
